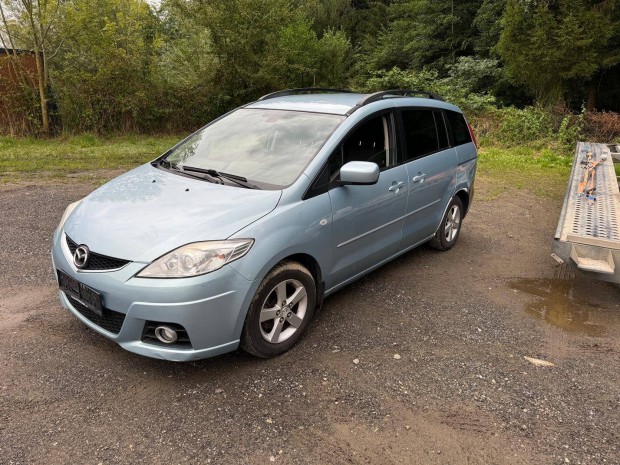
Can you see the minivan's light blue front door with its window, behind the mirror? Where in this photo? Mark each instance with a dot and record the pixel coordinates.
(367, 220)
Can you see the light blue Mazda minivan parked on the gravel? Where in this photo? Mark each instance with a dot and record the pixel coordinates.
(235, 235)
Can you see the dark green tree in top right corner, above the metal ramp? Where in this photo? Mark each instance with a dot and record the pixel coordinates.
(547, 43)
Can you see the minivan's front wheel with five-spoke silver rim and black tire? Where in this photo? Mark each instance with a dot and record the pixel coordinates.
(280, 311)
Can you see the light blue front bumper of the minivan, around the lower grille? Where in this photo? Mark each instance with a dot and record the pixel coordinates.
(211, 307)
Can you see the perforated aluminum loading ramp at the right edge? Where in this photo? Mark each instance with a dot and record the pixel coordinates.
(588, 233)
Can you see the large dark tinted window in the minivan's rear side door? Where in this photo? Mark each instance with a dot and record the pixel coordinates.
(420, 133)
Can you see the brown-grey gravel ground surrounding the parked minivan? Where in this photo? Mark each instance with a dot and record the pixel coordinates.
(439, 340)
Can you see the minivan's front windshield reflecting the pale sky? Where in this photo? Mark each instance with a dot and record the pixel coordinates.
(267, 147)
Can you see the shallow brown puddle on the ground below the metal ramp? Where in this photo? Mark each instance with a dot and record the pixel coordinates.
(559, 305)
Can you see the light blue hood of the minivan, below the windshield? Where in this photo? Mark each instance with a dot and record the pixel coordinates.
(148, 212)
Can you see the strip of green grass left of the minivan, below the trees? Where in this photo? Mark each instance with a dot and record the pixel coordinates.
(28, 158)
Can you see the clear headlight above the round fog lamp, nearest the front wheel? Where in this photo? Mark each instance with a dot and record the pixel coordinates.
(197, 258)
